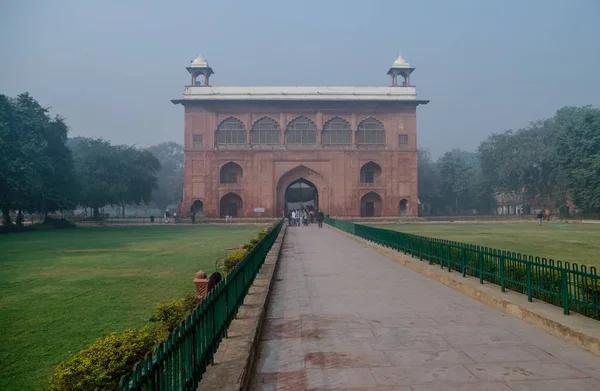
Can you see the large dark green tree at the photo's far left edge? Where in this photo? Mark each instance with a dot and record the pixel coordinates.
(36, 173)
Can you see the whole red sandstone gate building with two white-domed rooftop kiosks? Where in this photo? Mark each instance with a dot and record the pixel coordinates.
(350, 151)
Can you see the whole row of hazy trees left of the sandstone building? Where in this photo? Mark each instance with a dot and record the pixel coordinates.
(43, 171)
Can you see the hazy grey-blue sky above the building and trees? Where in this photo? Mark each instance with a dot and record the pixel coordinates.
(111, 67)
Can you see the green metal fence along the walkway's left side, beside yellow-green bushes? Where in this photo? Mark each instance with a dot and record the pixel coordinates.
(180, 361)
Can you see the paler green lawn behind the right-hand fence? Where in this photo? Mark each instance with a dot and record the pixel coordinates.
(578, 243)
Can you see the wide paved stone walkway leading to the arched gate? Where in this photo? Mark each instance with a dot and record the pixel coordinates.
(343, 316)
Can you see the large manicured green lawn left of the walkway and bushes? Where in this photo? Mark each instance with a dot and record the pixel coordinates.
(60, 290)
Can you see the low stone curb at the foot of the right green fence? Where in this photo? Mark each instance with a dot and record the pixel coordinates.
(575, 328)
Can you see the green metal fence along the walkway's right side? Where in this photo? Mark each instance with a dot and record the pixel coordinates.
(567, 285)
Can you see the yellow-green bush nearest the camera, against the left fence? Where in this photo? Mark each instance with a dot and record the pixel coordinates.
(101, 365)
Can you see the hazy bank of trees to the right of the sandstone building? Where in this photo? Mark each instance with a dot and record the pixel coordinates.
(544, 164)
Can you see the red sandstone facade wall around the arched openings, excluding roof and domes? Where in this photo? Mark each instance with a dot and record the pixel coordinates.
(334, 171)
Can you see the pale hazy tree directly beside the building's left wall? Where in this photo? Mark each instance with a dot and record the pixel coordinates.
(170, 175)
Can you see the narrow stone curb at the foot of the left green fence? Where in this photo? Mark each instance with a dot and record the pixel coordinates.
(234, 359)
